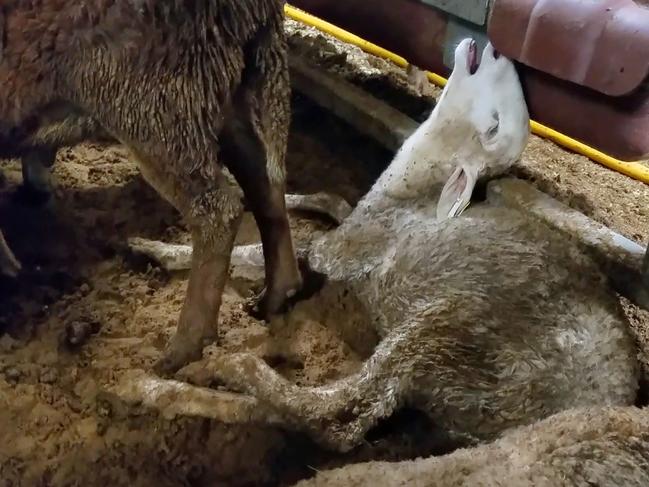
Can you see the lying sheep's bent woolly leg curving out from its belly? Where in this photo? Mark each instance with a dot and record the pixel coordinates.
(336, 415)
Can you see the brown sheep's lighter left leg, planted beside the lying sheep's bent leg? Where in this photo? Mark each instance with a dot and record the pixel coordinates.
(212, 210)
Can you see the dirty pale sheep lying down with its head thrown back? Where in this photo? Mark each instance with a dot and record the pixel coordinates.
(487, 320)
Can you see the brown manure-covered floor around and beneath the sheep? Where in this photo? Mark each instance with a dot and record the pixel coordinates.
(87, 312)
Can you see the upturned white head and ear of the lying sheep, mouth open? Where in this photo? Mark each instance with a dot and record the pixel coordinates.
(482, 120)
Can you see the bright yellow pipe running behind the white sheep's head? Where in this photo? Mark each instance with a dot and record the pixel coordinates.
(631, 169)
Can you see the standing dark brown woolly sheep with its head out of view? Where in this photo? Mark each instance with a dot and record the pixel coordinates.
(198, 90)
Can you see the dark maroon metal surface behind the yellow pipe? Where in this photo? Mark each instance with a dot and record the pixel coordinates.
(618, 126)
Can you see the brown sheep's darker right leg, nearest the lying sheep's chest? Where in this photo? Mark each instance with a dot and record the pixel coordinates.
(253, 144)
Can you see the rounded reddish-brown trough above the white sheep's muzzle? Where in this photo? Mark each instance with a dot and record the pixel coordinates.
(603, 45)
